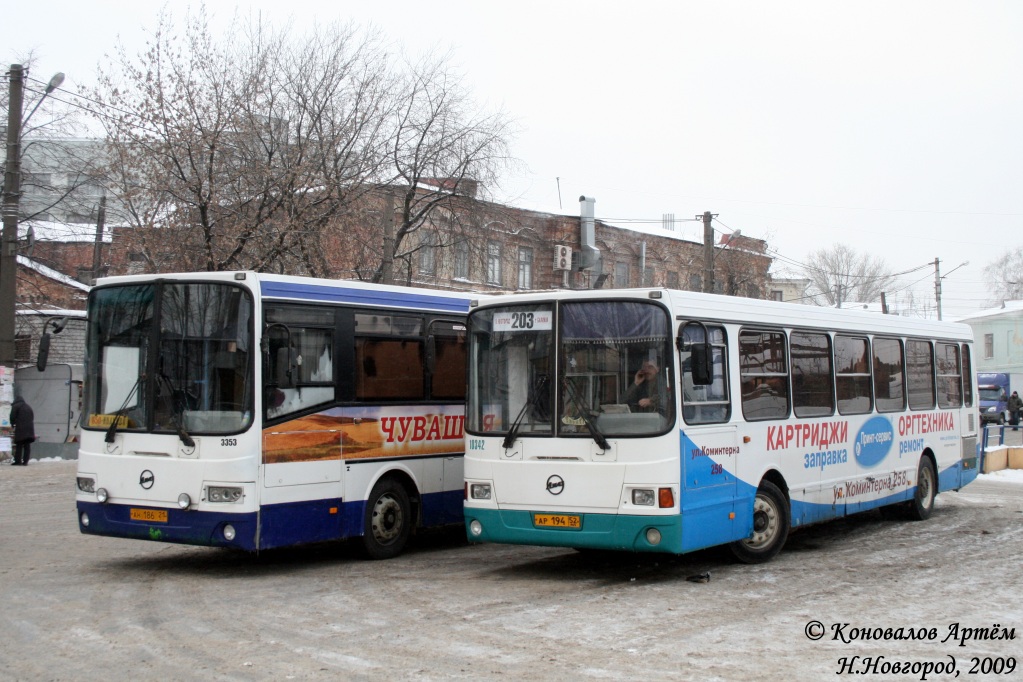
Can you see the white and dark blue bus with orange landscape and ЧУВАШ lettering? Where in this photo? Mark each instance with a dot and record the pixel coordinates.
(255, 412)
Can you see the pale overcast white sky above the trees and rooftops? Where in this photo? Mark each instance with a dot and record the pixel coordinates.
(892, 127)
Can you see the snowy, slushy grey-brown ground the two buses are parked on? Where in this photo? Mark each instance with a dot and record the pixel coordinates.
(79, 608)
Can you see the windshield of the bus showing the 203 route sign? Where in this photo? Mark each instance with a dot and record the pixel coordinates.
(613, 371)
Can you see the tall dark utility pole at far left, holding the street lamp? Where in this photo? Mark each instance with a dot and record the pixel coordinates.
(12, 198)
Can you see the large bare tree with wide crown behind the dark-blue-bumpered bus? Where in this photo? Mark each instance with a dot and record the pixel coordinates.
(235, 153)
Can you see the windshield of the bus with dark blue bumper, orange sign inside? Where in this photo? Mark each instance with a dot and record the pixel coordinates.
(169, 357)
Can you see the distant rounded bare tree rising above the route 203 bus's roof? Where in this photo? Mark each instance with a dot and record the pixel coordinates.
(840, 275)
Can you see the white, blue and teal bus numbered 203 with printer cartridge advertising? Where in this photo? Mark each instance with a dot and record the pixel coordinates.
(670, 422)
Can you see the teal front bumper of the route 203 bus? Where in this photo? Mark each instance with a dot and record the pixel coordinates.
(618, 532)
